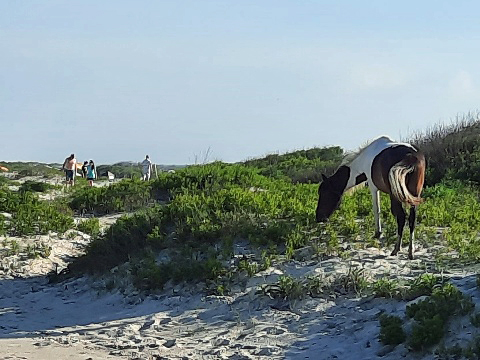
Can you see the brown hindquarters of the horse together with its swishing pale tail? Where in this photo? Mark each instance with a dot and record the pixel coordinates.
(411, 165)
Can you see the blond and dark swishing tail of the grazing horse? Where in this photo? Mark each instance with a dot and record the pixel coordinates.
(398, 179)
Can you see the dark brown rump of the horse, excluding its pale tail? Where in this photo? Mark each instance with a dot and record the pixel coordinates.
(383, 162)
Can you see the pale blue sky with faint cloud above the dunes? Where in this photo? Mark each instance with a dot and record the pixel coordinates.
(194, 81)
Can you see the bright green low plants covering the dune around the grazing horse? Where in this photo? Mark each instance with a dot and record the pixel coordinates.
(210, 207)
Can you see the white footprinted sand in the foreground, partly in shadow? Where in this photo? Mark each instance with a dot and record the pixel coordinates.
(77, 319)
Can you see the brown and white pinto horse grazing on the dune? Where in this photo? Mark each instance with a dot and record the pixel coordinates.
(394, 168)
